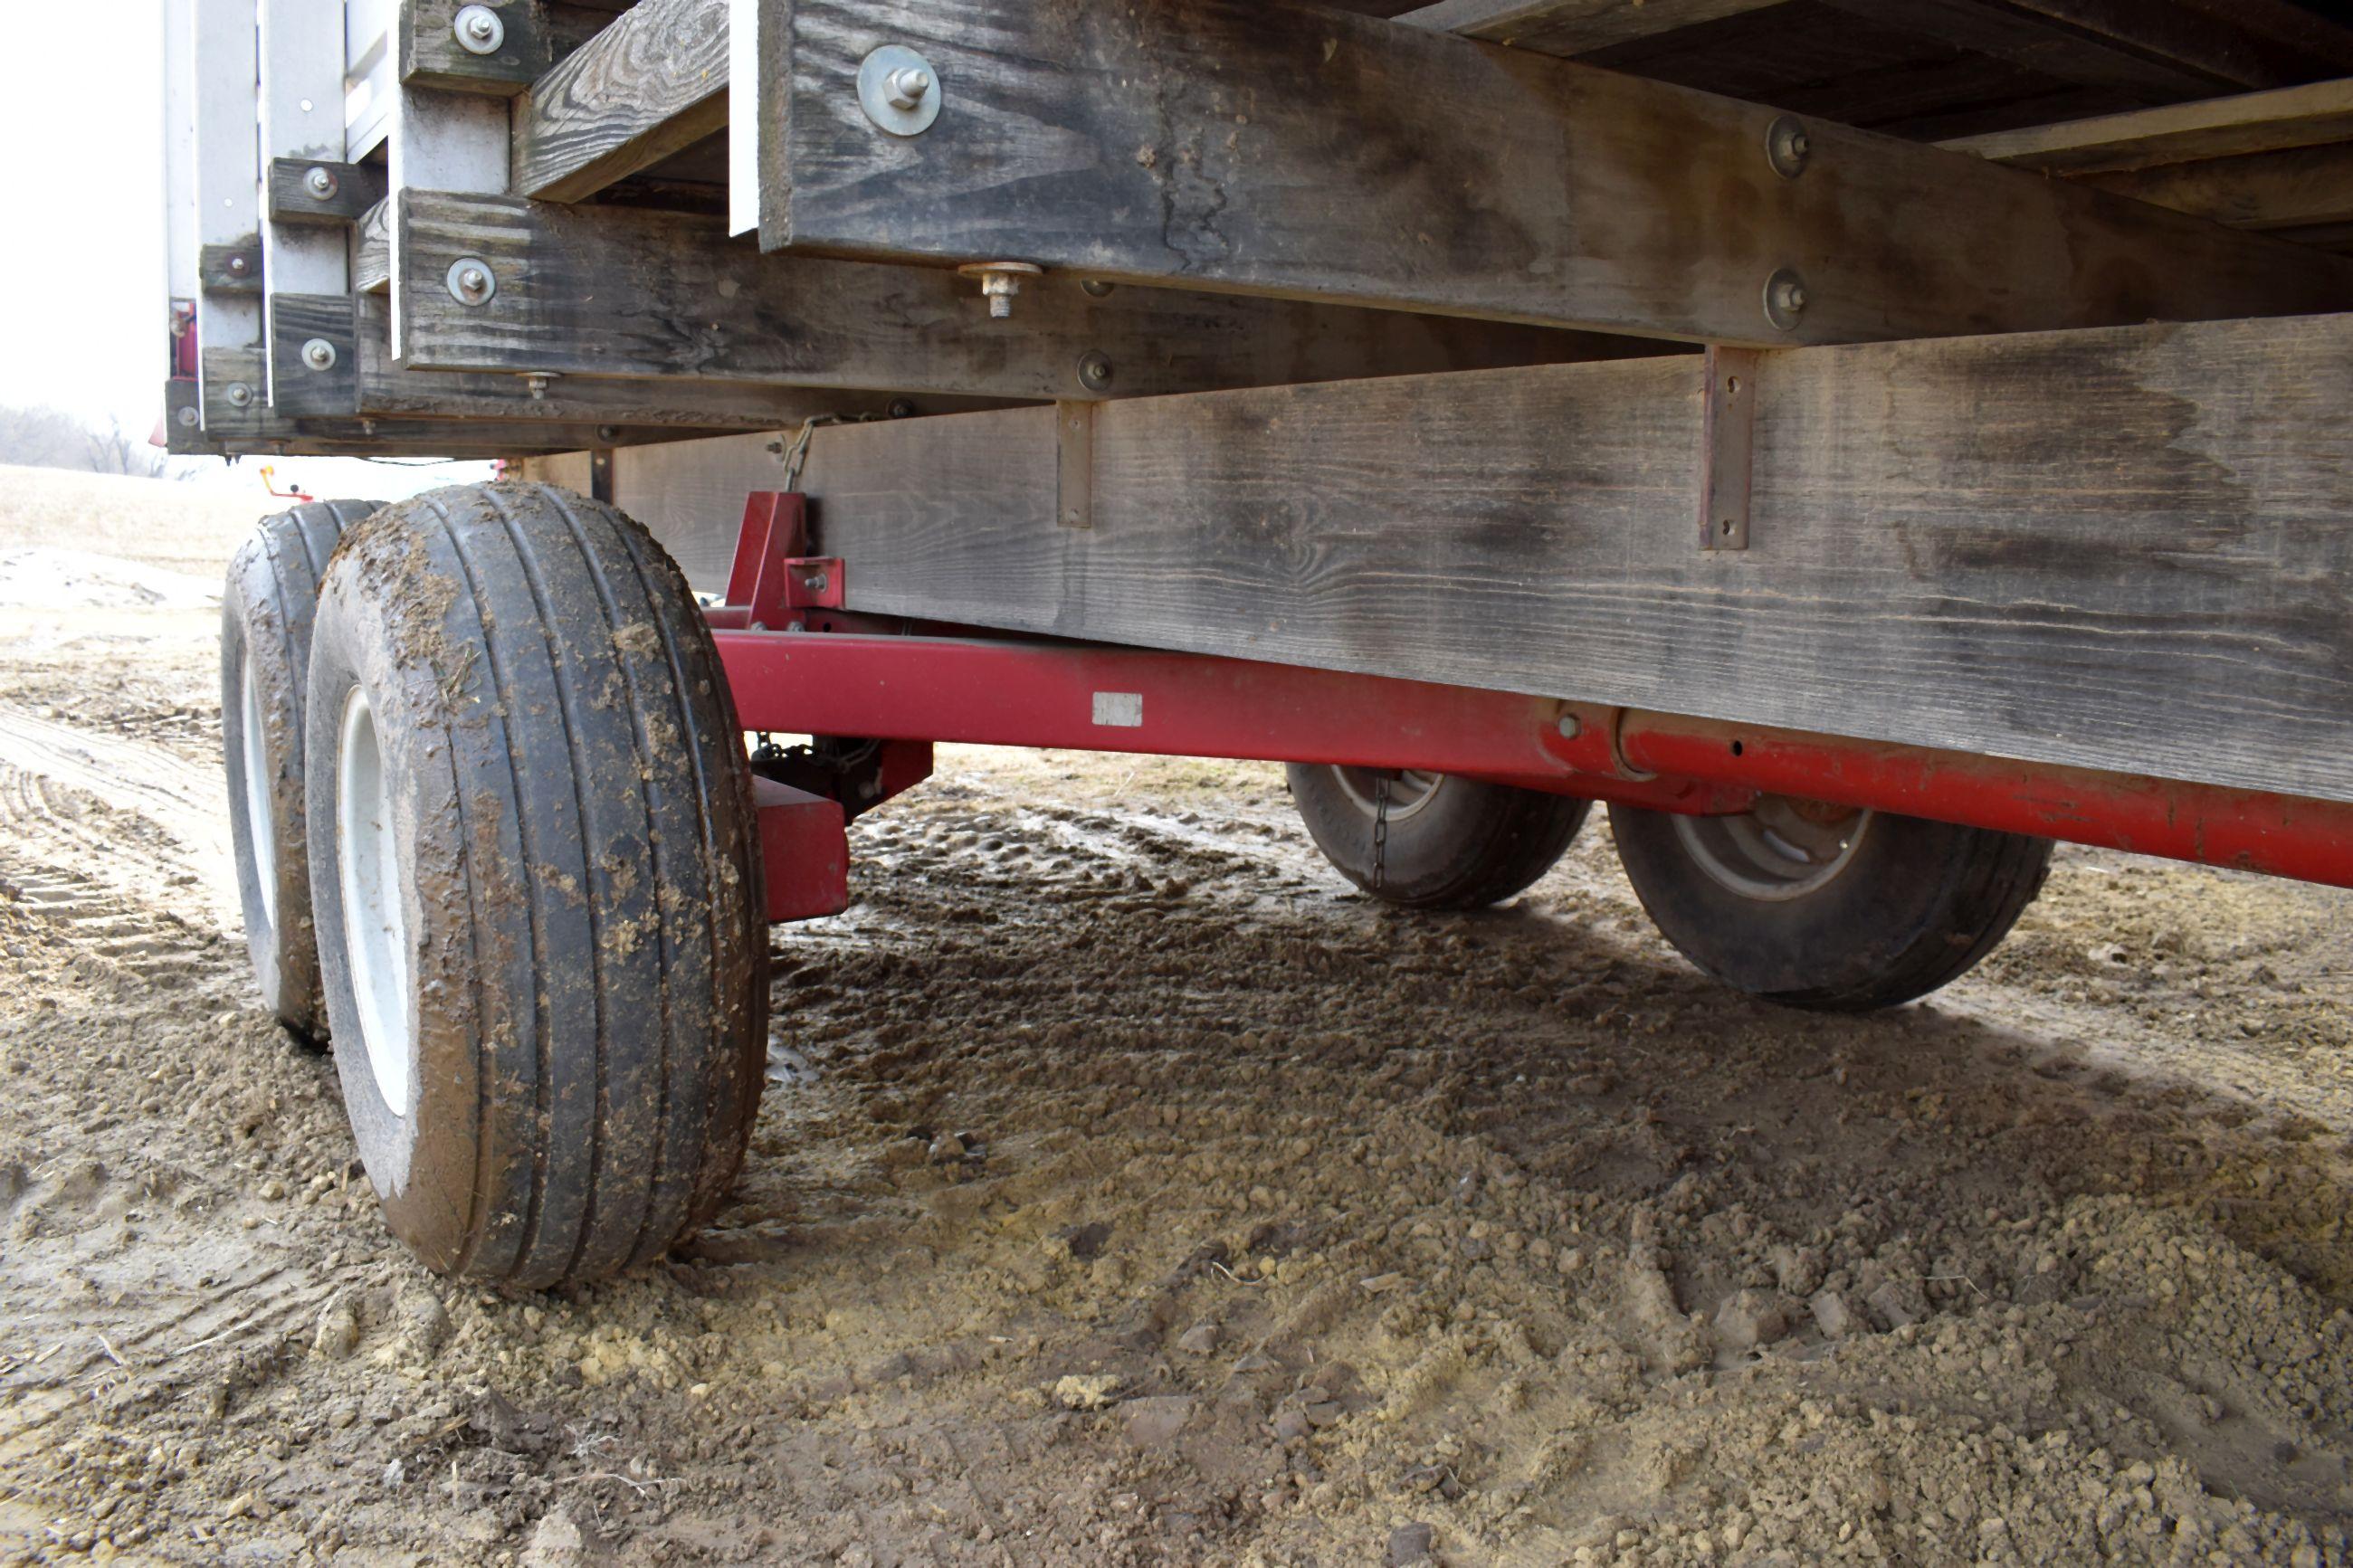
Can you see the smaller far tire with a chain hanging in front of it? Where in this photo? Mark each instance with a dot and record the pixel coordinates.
(1453, 843)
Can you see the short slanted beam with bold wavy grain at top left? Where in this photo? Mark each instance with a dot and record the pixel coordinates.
(646, 88)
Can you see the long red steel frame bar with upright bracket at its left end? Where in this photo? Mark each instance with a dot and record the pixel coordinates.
(834, 674)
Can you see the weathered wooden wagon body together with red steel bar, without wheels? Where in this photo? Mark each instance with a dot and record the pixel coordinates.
(1931, 406)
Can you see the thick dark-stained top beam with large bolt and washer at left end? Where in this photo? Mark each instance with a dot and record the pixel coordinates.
(1281, 149)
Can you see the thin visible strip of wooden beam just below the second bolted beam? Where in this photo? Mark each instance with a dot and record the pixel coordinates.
(385, 389)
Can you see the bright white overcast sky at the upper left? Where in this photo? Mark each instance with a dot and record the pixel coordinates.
(84, 316)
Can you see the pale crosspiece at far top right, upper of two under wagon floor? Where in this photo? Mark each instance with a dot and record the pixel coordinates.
(2182, 133)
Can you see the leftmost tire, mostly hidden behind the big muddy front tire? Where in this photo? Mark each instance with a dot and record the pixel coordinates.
(267, 610)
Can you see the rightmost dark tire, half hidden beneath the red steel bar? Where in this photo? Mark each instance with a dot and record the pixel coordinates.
(1839, 913)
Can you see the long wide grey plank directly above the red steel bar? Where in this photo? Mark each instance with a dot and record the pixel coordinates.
(2121, 549)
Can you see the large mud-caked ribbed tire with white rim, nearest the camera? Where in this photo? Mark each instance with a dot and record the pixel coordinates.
(535, 869)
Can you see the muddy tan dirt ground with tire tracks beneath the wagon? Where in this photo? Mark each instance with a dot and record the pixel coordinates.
(1131, 1191)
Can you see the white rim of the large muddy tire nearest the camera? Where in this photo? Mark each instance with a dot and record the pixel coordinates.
(375, 920)
